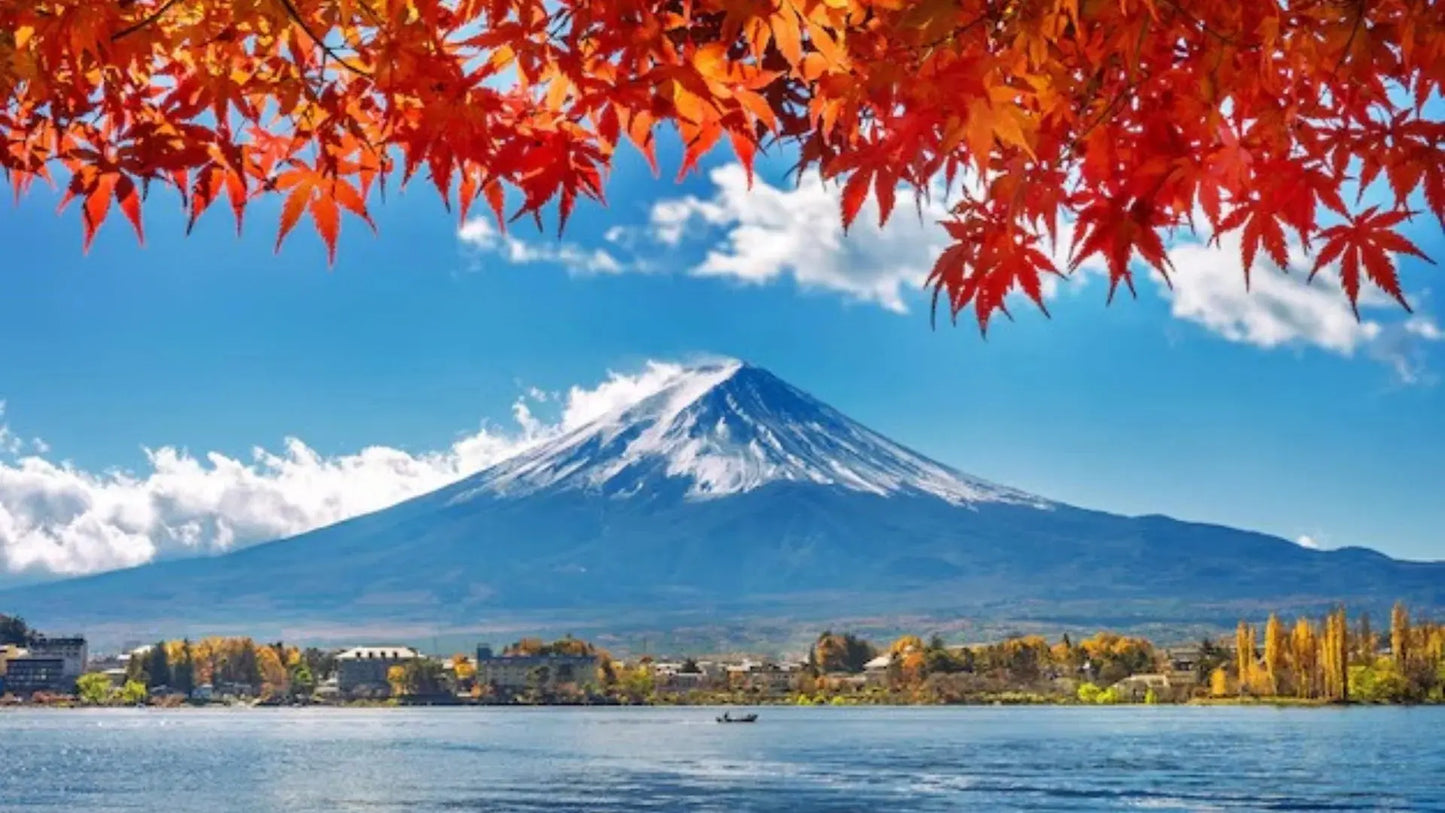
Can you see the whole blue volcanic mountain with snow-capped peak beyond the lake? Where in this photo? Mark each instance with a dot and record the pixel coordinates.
(728, 496)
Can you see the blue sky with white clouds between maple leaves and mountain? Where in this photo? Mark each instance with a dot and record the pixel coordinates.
(1268, 412)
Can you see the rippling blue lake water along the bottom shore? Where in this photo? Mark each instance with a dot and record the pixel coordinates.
(808, 759)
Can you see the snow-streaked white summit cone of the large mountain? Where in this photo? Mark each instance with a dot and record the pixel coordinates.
(728, 428)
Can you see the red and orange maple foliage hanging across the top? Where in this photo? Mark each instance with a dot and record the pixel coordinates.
(1126, 118)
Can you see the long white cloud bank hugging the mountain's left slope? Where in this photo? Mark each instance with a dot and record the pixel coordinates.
(57, 519)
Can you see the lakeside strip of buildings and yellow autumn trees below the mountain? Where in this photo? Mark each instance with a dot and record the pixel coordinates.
(1311, 662)
